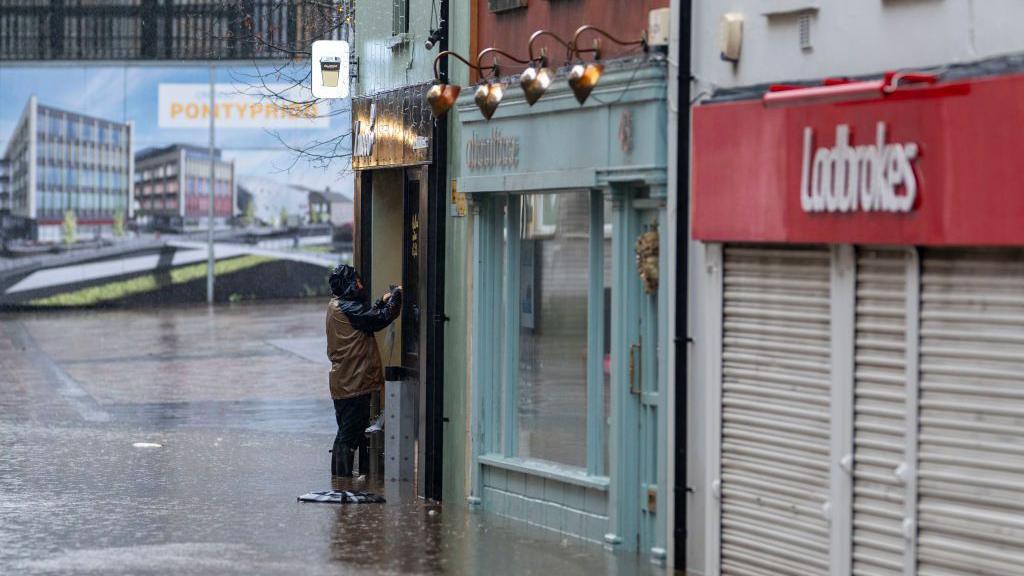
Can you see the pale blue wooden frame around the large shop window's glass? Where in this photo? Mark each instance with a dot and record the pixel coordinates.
(497, 359)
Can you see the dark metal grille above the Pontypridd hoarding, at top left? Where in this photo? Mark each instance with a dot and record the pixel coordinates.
(107, 30)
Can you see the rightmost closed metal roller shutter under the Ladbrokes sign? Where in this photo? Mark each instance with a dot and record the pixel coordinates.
(971, 466)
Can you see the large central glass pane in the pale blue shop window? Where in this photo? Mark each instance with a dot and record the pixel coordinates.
(552, 395)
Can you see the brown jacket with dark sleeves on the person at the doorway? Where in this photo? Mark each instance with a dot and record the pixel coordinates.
(356, 360)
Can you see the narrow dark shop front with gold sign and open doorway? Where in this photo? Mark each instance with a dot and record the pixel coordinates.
(397, 230)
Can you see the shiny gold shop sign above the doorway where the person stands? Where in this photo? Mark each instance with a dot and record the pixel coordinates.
(392, 129)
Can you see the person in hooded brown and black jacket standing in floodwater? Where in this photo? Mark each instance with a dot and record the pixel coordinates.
(356, 361)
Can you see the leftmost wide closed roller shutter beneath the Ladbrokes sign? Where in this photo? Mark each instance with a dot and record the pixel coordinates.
(776, 395)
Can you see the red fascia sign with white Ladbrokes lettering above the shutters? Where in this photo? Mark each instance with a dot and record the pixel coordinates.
(940, 166)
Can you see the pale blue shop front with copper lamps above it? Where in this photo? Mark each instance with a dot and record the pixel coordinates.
(569, 333)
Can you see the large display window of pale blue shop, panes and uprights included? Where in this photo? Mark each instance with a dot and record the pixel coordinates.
(545, 373)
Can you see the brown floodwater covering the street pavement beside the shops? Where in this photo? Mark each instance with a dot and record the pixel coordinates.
(237, 398)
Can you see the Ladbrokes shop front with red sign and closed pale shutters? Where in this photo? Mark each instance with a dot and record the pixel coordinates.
(861, 328)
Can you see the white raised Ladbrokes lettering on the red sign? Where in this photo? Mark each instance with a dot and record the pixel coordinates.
(875, 178)
